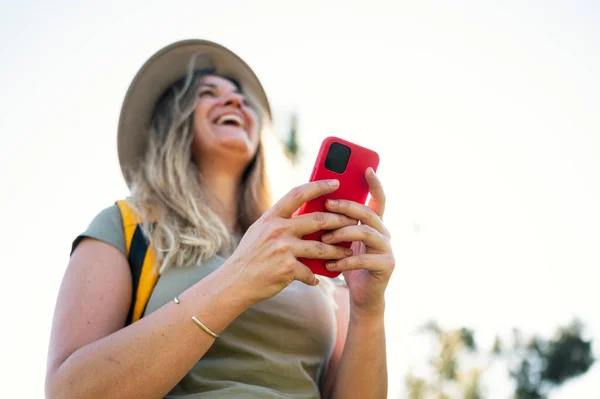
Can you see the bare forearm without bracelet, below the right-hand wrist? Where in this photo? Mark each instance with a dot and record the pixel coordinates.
(362, 372)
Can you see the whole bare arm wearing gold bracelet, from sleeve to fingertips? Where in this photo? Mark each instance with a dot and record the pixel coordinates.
(91, 355)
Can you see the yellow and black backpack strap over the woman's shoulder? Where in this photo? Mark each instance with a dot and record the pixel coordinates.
(142, 258)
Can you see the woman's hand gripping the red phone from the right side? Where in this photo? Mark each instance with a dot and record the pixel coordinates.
(368, 271)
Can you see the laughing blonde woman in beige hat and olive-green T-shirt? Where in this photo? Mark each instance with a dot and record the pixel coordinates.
(189, 146)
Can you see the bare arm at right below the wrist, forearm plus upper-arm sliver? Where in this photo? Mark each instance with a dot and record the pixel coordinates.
(358, 366)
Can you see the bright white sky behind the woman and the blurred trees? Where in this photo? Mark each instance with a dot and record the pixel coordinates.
(485, 116)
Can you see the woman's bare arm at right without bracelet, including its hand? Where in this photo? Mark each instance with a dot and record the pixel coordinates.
(360, 369)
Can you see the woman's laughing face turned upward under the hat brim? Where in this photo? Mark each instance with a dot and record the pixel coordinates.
(226, 128)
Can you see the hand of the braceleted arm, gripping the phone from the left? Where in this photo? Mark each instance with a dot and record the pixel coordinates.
(265, 262)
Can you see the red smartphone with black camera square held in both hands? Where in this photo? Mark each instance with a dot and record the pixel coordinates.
(347, 162)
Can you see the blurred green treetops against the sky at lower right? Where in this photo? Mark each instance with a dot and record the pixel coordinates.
(536, 365)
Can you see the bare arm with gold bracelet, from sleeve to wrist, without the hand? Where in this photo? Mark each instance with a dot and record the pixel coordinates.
(92, 356)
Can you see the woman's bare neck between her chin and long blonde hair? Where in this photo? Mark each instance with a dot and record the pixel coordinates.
(223, 190)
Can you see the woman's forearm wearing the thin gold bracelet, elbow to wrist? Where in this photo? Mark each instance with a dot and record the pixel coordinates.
(148, 358)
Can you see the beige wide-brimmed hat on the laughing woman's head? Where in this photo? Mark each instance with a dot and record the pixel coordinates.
(162, 70)
